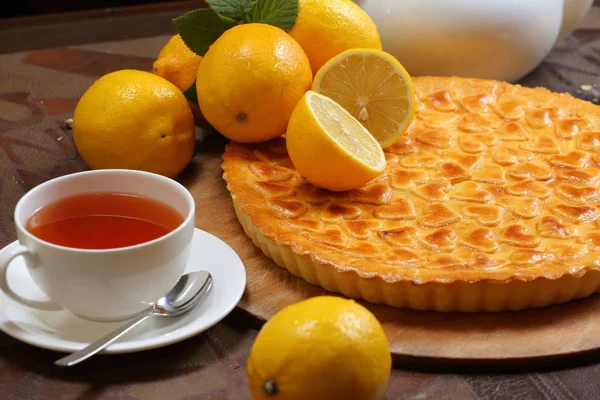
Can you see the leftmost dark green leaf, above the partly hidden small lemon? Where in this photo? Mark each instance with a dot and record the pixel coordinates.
(200, 28)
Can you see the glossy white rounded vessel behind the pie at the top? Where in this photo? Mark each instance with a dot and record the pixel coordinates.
(493, 39)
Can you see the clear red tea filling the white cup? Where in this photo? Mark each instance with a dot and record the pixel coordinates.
(104, 220)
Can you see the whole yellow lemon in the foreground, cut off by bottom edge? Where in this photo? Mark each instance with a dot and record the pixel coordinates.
(323, 348)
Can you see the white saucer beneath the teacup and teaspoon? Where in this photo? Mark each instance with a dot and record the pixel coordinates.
(64, 331)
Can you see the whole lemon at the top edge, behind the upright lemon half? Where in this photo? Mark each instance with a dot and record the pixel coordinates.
(325, 28)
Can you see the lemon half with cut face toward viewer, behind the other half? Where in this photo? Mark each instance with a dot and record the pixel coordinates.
(374, 87)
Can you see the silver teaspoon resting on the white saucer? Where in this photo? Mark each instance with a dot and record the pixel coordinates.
(185, 294)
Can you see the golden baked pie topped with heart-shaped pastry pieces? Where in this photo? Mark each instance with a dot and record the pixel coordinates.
(493, 182)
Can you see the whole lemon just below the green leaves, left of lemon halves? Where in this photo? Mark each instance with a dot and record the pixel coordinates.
(250, 80)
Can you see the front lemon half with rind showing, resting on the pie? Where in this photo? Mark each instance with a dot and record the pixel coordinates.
(329, 147)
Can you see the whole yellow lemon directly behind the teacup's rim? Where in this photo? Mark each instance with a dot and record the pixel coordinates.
(134, 120)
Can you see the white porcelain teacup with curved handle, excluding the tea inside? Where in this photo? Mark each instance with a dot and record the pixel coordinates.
(102, 284)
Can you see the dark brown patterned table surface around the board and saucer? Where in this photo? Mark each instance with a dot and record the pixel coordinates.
(39, 89)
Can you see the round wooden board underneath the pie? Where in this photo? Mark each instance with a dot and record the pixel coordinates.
(563, 330)
